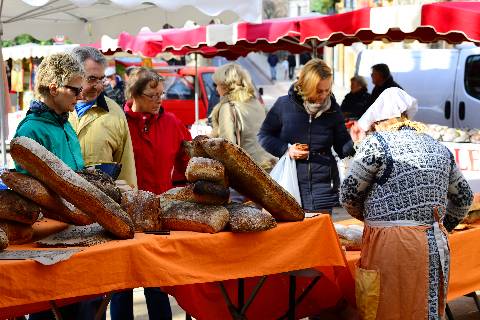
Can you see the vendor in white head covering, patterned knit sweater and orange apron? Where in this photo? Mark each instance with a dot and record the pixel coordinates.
(407, 189)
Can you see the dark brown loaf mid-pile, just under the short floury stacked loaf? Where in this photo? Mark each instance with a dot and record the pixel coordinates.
(203, 192)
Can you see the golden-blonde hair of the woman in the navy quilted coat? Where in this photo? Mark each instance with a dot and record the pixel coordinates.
(311, 74)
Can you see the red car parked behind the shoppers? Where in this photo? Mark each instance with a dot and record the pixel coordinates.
(180, 91)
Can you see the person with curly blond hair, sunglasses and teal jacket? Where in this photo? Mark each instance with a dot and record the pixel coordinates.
(58, 84)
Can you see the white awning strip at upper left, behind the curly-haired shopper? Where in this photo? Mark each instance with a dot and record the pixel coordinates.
(33, 50)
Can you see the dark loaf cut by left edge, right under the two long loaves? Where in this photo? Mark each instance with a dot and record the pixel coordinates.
(14, 207)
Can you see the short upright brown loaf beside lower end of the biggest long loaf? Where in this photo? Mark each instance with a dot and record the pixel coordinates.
(143, 207)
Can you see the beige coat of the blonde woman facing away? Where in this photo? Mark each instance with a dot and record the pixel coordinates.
(250, 118)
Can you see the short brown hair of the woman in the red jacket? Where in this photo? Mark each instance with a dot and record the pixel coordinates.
(138, 81)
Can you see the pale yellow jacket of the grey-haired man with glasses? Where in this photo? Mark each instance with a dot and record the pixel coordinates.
(104, 138)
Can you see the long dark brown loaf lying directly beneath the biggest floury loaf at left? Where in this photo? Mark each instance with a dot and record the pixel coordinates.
(52, 205)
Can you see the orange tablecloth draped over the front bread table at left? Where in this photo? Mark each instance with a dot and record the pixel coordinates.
(178, 259)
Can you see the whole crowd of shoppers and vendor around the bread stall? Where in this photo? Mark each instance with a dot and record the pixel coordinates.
(404, 185)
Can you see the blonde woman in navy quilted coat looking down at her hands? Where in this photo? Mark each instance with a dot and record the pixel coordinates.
(308, 123)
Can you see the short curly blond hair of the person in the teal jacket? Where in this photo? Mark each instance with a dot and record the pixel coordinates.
(57, 69)
